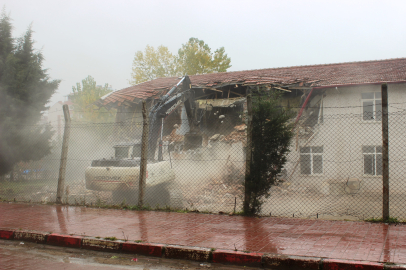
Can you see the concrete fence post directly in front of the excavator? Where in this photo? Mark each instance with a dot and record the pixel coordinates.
(144, 155)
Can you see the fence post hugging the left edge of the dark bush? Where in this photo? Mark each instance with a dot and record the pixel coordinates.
(248, 154)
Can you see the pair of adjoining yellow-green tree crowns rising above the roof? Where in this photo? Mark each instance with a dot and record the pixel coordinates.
(194, 57)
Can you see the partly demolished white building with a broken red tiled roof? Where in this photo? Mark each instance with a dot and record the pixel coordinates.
(317, 92)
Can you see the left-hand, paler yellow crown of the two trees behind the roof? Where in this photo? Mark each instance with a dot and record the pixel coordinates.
(152, 64)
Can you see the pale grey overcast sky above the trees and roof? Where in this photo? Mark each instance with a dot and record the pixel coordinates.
(99, 38)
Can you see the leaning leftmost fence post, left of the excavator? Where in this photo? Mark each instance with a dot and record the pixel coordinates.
(64, 155)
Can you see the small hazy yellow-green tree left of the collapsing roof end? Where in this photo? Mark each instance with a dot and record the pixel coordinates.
(84, 97)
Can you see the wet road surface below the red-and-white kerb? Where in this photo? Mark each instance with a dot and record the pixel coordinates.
(18, 255)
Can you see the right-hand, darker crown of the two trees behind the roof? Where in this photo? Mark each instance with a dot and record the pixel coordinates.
(195, 57)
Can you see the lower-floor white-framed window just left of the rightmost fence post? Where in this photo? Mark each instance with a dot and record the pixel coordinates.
(372, 159)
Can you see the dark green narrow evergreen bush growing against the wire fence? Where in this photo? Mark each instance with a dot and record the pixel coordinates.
(271, 136)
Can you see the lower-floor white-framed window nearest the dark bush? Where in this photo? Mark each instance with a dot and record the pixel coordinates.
(311, 160)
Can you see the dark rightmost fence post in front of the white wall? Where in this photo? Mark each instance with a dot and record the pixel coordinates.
(385, 152)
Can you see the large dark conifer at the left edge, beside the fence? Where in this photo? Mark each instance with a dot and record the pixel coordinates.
(25, 89)
